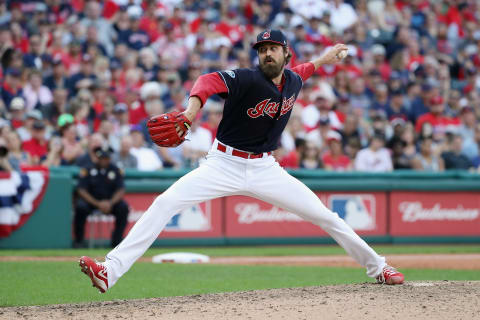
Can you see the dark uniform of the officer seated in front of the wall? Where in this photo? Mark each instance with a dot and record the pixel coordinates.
(102, 184)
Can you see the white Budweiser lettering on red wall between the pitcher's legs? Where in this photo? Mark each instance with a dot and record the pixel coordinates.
(249, 213)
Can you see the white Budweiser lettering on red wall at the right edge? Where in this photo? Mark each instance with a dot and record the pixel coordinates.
(414, 211)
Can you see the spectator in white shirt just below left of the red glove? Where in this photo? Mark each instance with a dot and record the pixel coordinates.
(147, 159)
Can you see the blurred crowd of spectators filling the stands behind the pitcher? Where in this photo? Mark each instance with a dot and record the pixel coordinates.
(78, 75)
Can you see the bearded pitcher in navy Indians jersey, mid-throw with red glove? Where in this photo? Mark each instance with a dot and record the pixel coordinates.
(258, 104)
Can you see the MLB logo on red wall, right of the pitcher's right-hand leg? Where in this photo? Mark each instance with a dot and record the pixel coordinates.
(358, 210)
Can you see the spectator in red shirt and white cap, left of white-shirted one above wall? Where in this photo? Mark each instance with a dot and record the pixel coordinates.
(334, 159)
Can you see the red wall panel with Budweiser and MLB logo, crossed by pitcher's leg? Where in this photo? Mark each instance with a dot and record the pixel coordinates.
(249, 217)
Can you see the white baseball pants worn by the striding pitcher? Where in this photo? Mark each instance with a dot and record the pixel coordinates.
(222, 175)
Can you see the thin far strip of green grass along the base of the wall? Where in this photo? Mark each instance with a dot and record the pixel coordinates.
(258, 251)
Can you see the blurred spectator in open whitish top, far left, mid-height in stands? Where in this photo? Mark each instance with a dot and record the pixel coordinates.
(35, 93)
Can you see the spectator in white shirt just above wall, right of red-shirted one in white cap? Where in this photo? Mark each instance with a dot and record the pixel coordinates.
(374, 158)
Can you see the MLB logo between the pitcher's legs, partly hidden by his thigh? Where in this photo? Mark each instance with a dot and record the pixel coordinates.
(196, 218)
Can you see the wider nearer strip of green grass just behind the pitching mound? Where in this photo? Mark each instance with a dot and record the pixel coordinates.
(37, 283)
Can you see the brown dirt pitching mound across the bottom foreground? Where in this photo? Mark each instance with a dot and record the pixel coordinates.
(413, 300)
